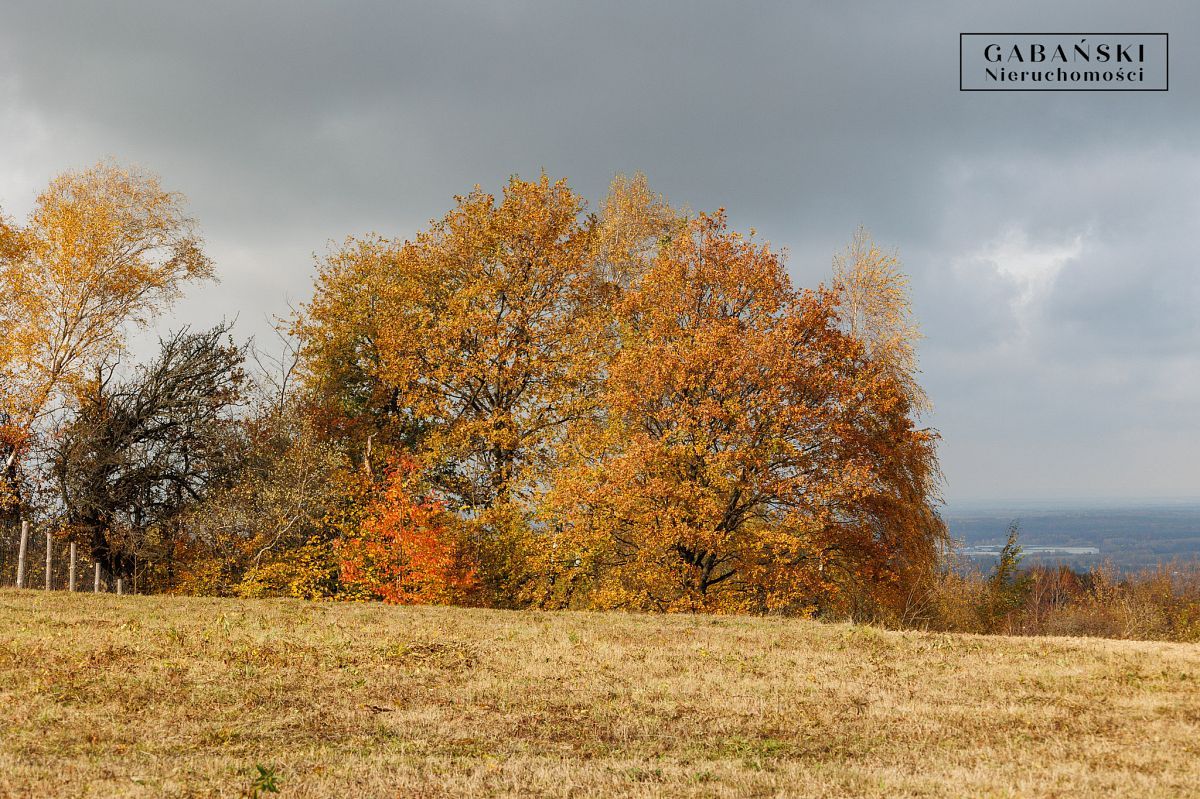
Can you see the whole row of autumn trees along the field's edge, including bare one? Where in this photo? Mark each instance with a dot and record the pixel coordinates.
(526, 405)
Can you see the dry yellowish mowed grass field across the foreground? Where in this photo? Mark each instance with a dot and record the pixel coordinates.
(135, 696)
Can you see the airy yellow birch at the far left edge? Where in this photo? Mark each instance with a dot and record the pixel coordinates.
(105, 249)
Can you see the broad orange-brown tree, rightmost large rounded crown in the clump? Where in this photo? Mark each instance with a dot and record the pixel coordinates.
(733, 452)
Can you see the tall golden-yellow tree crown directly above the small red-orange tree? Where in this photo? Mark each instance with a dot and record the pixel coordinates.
(491, 339)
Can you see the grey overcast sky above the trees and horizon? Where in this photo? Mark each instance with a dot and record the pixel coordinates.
(1052, 238)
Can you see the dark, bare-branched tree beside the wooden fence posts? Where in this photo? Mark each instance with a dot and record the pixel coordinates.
(139, 453)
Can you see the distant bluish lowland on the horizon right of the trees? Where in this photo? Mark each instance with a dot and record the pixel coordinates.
(1129, 536)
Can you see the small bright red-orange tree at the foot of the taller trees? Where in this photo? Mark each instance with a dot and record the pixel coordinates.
(406, 551)
